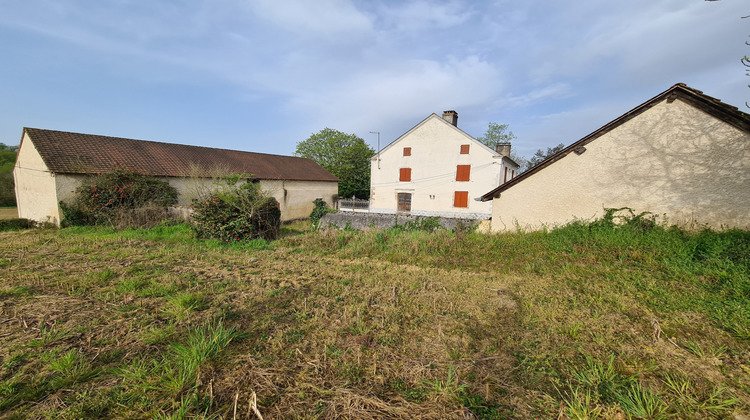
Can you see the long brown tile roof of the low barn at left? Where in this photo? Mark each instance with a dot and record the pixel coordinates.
(74, 153)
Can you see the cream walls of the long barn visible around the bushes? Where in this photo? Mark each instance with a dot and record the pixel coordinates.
(38, 190)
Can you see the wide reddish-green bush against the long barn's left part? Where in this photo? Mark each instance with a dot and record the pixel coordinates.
(112, 198)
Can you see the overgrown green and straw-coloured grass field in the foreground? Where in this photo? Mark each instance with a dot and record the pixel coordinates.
(587, 321)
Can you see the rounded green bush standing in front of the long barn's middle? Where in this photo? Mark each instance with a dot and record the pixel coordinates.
(238, 210)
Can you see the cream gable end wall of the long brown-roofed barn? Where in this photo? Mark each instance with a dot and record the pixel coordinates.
(36, 191)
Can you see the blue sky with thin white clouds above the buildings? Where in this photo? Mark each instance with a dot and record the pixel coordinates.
(262, 75)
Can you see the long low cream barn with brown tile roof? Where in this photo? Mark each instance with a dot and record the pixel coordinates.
(51, 164)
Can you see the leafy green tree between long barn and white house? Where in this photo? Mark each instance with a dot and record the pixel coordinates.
(344, 155)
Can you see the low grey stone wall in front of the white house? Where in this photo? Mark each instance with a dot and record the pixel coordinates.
(364, 221)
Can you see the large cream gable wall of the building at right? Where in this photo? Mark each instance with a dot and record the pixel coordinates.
(672, 160)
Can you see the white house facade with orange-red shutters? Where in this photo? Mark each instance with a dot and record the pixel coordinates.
(436, 169)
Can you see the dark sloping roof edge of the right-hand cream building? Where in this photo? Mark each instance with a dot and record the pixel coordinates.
(712, 106)
